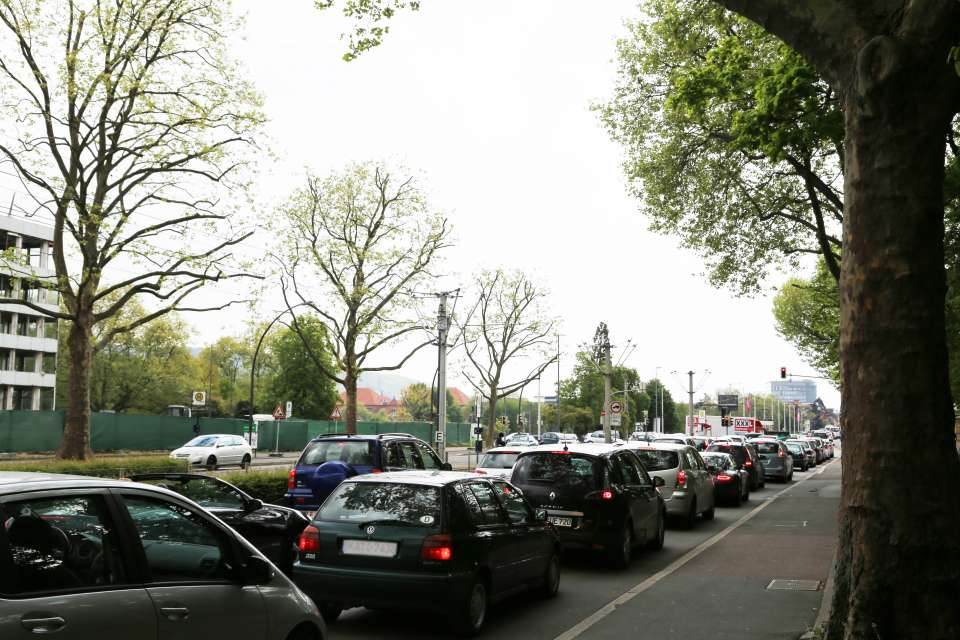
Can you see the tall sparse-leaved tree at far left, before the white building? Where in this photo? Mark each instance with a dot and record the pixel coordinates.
(112, 110)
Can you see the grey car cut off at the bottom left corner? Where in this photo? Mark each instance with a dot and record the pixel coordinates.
(92, 558)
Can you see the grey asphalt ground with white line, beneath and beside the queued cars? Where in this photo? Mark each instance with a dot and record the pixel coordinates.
(710, 582)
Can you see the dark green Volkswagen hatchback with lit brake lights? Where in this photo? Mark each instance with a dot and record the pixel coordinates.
(442, 541)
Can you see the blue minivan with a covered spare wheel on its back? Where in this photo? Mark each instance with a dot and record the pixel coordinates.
(327, 460)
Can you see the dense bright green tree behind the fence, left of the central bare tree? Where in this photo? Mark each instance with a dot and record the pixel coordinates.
(297, 377)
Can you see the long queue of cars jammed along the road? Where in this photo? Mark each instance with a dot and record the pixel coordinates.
(373, 521)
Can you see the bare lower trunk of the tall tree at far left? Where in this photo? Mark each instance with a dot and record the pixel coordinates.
(76, 430)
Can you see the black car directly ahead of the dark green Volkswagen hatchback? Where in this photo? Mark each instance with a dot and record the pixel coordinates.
(597, 496)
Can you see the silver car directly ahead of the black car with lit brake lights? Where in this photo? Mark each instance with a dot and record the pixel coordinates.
(688, 487)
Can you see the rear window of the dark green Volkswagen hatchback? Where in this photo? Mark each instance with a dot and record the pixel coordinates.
(410, 504)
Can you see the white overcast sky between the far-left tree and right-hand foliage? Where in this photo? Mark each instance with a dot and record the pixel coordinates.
(489, 102)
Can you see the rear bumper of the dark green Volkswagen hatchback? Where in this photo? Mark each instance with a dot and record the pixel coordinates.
(350, 587)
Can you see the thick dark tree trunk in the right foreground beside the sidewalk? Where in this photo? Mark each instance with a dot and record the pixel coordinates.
(898, 567)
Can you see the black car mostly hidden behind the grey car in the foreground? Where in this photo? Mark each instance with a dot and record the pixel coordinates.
(272, 529)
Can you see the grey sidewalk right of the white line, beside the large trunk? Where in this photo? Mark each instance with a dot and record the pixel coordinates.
(723, 593)
